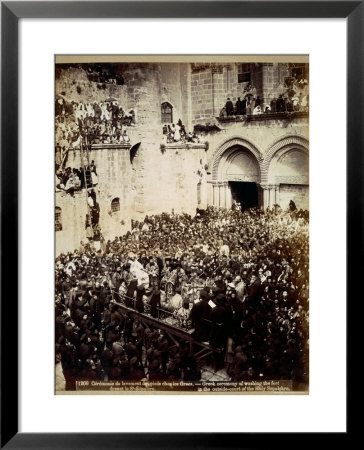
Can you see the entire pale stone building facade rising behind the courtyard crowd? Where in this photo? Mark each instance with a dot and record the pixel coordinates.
(259, 160)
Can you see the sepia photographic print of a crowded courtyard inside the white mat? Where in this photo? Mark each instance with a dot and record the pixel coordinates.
(182, 224)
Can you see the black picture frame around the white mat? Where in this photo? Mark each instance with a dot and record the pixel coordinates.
(11, 12)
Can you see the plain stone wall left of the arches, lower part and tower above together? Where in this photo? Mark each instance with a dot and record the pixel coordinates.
(156, 179)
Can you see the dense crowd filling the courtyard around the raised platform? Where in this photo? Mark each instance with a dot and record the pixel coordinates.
(239, 280)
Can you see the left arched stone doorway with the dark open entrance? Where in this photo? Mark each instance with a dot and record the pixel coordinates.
(236, 177)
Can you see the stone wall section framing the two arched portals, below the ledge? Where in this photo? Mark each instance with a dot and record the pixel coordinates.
(264, 140)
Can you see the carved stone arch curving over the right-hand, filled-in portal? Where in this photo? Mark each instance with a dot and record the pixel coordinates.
(279, 148)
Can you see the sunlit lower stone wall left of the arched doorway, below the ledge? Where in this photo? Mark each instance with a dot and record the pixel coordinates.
(162, 182)
